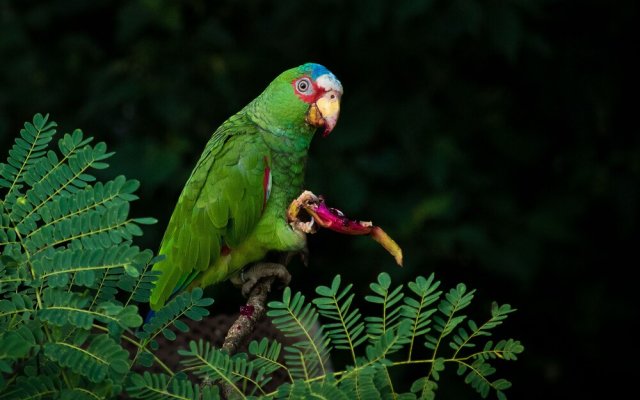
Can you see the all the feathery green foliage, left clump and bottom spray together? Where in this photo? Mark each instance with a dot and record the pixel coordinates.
(71, 280)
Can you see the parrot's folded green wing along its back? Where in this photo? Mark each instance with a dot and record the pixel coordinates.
(219, 206)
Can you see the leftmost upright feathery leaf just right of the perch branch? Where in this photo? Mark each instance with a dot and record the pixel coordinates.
(294, 318)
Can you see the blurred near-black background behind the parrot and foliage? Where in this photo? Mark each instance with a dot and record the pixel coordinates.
(494, 140)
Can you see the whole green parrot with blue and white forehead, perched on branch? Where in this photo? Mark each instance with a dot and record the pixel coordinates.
(232, 210)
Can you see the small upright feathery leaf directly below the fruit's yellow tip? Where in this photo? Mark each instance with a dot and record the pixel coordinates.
(389, 299)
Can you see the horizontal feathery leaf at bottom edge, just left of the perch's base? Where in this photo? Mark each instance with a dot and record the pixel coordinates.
(160, 387)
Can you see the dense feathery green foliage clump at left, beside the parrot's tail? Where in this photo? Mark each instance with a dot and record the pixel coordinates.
(70, 276)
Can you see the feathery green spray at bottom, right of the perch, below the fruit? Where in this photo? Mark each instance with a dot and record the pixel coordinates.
(393, 334)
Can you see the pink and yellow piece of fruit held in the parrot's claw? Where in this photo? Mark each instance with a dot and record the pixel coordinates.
(334, 219)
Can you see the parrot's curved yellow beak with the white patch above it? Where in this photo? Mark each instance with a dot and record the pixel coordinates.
(326, 109)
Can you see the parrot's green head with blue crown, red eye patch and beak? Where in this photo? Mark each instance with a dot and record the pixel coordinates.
(307, 95)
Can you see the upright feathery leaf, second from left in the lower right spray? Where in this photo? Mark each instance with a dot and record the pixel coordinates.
(335, 304)
